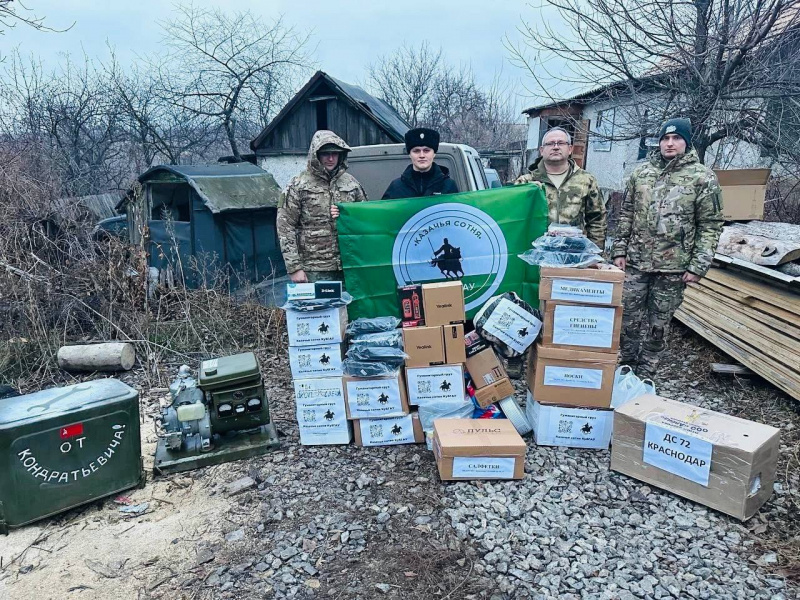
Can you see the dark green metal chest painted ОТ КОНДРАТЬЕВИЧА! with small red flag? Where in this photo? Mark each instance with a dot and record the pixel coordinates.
(67, 446)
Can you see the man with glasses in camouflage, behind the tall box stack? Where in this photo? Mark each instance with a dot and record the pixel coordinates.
(573, 197)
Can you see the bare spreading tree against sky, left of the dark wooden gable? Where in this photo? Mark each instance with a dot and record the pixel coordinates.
(229, 68)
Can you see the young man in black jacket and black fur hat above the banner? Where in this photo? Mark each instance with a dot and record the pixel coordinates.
(422, 177)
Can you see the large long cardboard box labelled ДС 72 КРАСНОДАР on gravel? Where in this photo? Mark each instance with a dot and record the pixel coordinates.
(721, 461)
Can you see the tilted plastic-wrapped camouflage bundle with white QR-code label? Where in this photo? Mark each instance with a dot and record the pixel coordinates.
(509, 323)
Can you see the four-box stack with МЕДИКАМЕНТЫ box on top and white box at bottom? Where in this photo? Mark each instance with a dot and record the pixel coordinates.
(571, 372)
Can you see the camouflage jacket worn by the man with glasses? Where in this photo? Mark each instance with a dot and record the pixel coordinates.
(577, 202)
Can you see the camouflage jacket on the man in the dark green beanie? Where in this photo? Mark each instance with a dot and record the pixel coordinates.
(670, 220)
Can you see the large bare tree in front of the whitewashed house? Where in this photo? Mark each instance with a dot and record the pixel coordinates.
(729, 65)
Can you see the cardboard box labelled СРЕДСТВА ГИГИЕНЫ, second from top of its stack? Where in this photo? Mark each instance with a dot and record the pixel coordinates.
(572, 327)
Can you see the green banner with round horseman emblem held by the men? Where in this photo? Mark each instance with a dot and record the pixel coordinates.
(471, 236)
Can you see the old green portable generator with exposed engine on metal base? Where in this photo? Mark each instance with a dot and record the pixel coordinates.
(219, 416)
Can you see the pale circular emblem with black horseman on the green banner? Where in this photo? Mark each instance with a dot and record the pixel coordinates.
(452, 241)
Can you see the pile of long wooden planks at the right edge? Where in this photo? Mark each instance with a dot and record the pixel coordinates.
(753, 321)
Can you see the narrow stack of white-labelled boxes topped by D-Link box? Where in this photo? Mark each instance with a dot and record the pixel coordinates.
(315, 355)
